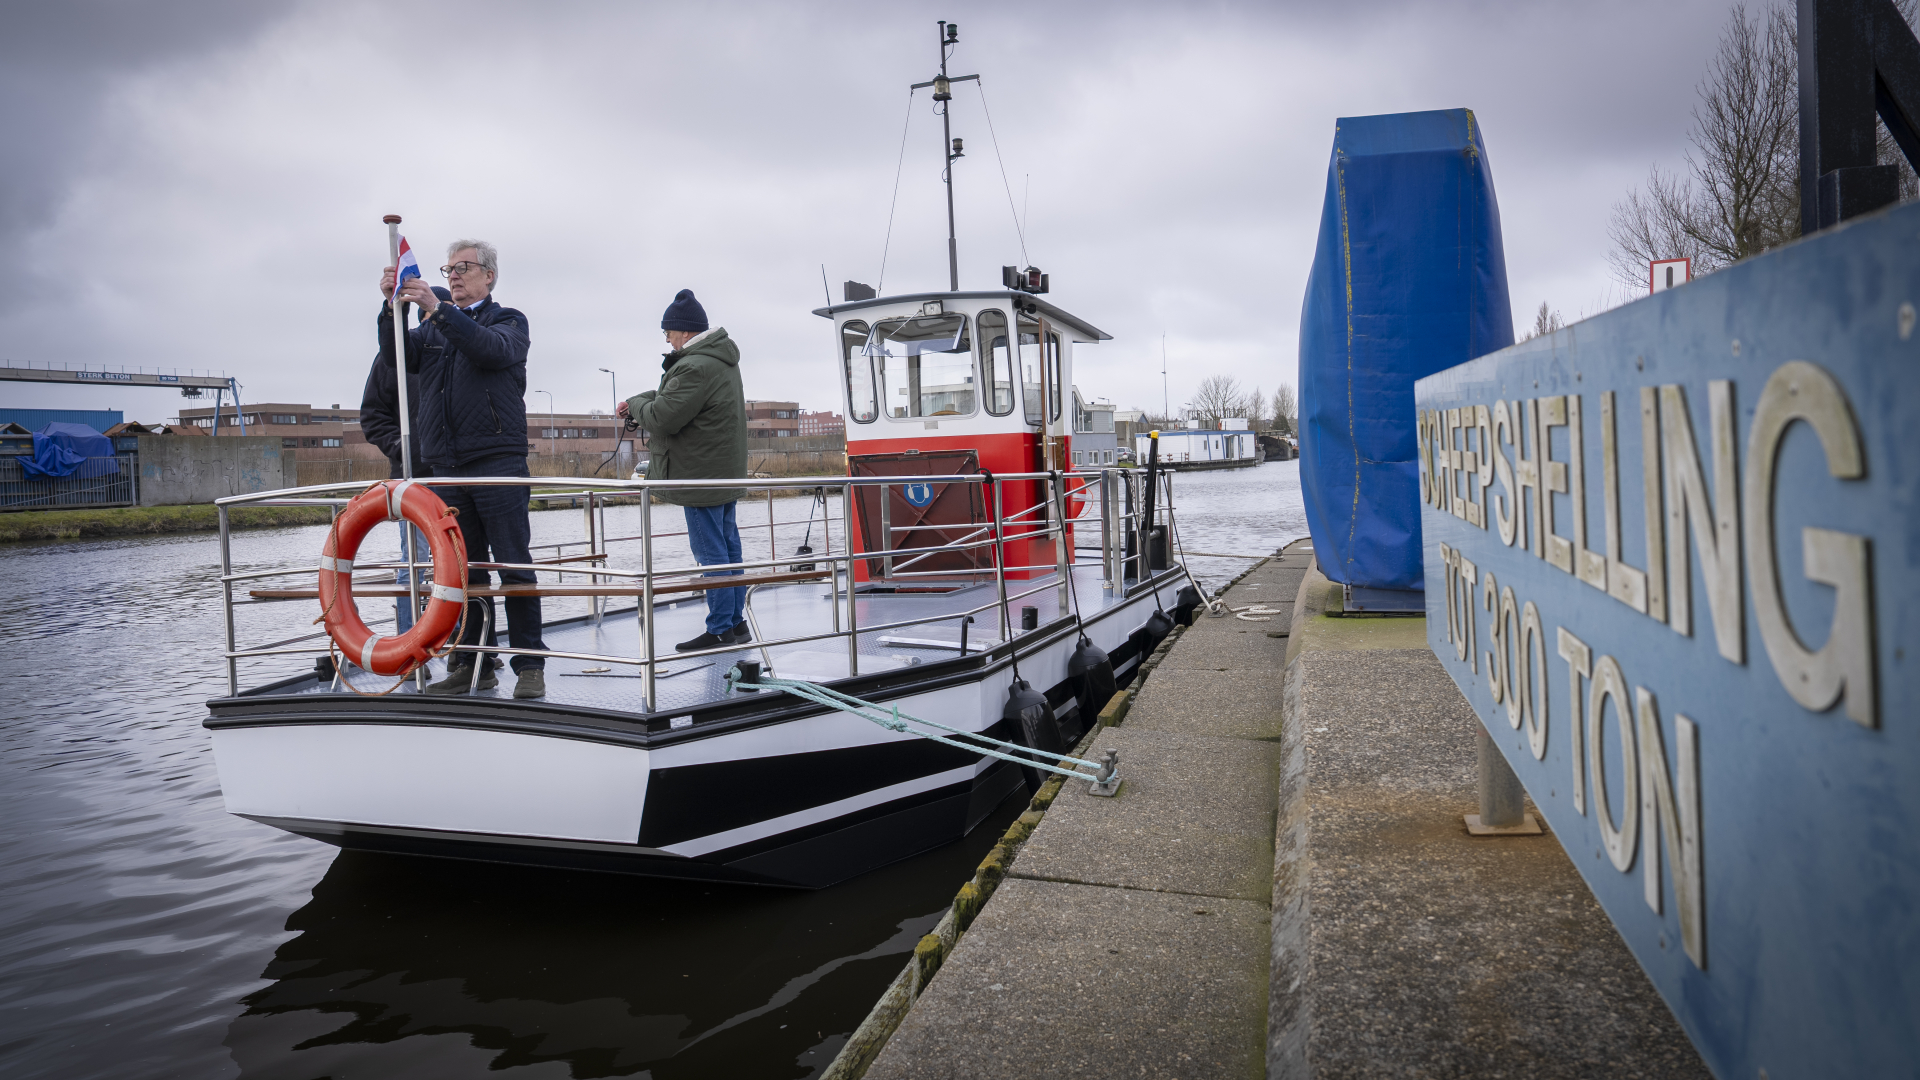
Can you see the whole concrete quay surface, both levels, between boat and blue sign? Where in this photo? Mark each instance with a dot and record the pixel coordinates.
(1285, 887)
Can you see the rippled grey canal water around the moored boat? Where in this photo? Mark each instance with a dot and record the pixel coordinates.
(147, 933)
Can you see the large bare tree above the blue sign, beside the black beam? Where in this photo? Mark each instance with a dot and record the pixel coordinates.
(1740, 193)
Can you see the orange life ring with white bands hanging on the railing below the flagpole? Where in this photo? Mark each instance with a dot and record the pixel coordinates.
(395, 501)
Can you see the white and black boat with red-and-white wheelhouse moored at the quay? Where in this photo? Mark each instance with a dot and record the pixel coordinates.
(972, 581)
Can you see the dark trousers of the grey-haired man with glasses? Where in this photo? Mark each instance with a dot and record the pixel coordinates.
(494, 522)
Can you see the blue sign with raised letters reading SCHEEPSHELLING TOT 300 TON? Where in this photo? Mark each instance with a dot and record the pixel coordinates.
(1673, 560)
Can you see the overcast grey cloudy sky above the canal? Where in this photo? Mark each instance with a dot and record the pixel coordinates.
(201, 184)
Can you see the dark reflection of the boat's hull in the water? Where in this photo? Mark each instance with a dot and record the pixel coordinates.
(462, 968)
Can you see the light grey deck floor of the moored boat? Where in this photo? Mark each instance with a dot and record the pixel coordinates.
(780, 612)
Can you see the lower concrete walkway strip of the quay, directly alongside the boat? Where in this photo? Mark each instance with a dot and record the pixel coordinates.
(1132, 935)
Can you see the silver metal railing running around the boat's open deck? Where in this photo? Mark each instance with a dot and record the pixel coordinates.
(1116, 508)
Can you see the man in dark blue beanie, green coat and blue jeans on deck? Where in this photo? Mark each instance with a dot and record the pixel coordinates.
(698, 431)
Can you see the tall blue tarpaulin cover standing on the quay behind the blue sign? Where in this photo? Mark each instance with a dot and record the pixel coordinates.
(1408, 280)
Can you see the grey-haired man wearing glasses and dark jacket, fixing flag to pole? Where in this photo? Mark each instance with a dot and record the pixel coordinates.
(471, 360)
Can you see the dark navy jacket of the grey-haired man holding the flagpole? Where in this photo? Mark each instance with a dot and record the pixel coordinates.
(473, 381)
